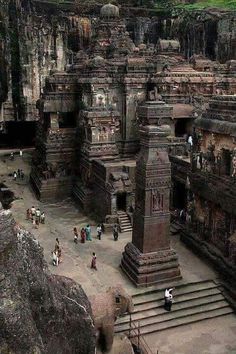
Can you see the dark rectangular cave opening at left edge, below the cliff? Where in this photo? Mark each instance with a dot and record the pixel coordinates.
(18, 134)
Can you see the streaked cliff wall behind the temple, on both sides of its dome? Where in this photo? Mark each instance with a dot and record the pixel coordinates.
(37, 38)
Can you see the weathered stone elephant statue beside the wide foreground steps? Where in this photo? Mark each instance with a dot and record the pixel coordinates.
(106, 307)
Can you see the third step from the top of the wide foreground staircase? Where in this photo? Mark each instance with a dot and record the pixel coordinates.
(174, 315)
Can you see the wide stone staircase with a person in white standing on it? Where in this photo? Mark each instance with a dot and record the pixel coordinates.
(193, 302)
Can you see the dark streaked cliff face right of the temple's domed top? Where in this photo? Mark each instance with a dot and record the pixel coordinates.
(209, 32)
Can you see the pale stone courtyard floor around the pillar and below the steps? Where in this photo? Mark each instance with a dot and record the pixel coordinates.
(211, 336)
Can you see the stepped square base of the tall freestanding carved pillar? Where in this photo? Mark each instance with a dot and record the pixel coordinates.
(146, 269)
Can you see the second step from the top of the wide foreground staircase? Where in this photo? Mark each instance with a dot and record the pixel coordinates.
(177, 306)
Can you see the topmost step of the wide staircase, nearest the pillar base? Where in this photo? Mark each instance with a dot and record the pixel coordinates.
(155, 294)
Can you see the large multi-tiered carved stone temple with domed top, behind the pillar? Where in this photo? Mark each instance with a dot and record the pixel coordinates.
(89, 135)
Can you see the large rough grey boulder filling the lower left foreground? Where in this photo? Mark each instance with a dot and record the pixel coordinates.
(39, 312)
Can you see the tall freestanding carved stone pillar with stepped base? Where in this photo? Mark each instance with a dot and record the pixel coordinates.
(149, 259)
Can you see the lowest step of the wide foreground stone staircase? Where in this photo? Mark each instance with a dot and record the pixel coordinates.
(156, 327)
